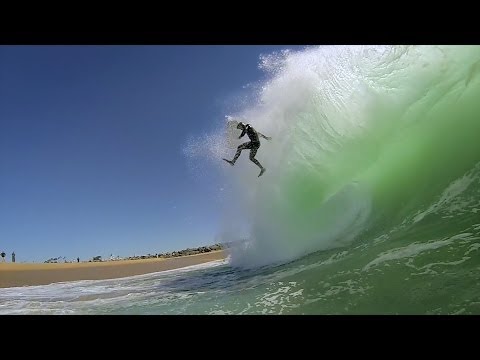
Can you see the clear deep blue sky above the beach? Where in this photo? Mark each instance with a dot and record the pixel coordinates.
(91, 140)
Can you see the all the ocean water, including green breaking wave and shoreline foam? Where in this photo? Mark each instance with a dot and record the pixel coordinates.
(370, 203)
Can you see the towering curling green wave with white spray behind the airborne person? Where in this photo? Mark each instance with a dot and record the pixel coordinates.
(360, 134)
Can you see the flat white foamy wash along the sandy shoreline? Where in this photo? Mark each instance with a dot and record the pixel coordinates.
(88, 296)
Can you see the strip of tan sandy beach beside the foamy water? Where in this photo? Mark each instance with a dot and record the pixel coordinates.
(19, 274)
